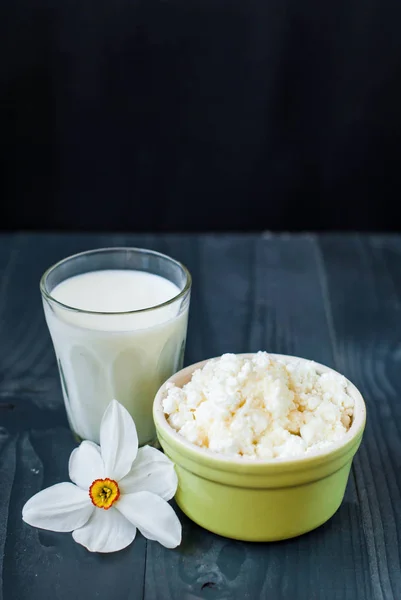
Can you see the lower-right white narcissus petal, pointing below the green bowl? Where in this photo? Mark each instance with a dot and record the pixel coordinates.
(153, 516)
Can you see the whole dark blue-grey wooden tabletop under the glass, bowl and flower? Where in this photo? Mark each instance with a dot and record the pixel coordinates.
(334, 298)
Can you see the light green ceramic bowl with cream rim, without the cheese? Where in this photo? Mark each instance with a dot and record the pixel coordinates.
(259, 500)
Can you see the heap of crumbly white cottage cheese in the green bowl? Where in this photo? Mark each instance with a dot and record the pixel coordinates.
(260, 407)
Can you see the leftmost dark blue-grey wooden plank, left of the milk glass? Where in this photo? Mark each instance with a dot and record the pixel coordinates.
(37, 563)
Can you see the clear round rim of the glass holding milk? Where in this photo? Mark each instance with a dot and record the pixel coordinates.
(47, 295)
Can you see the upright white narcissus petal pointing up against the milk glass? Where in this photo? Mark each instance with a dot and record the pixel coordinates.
(118, 440)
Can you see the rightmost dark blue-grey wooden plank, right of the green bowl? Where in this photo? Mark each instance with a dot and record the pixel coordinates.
(362, 277)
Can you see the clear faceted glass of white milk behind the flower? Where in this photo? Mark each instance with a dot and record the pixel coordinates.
(118, 321)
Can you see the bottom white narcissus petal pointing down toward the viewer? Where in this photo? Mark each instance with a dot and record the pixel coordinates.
(106, 531)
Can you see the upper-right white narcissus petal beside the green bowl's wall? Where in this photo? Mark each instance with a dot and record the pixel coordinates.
(153, 472)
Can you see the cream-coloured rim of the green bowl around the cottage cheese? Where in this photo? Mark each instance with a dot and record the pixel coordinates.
(219, 461)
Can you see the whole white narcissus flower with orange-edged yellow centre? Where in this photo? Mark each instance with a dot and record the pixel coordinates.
(116, 490)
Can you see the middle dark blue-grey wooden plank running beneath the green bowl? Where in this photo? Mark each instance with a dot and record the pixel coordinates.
(277, 294)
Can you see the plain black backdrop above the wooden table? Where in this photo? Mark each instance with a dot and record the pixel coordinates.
(200, 114)
